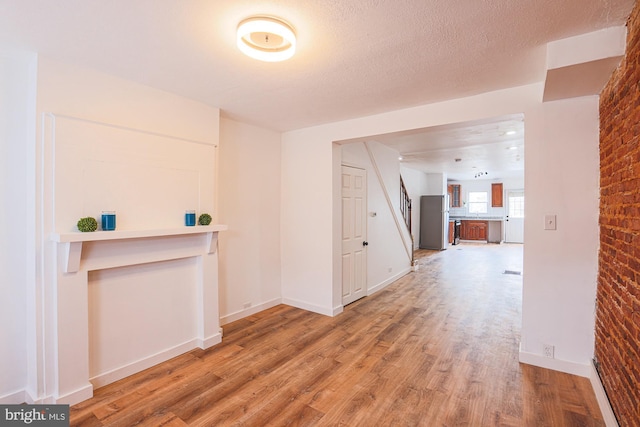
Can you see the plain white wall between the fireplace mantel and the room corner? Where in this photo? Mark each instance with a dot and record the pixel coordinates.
(249, 173)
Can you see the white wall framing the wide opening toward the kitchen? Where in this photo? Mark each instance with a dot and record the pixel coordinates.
(560, 147)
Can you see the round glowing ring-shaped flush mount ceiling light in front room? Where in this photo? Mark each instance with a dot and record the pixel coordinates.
(266, 39)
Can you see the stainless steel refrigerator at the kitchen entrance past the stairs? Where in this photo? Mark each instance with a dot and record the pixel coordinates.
(434, 222)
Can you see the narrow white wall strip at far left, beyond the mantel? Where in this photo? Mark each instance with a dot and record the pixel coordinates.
(17, 221)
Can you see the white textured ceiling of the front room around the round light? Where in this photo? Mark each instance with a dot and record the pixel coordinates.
(354, 57)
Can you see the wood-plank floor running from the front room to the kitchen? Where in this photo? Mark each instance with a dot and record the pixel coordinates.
(439, 347)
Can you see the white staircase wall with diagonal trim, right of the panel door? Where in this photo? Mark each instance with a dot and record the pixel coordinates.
(386, 257)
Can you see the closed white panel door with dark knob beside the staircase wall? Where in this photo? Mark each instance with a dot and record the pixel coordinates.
(354, 234)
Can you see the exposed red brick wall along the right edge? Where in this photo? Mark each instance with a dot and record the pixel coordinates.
(617, 347)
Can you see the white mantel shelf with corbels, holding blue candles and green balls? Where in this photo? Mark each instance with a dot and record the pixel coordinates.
(72, 241)
